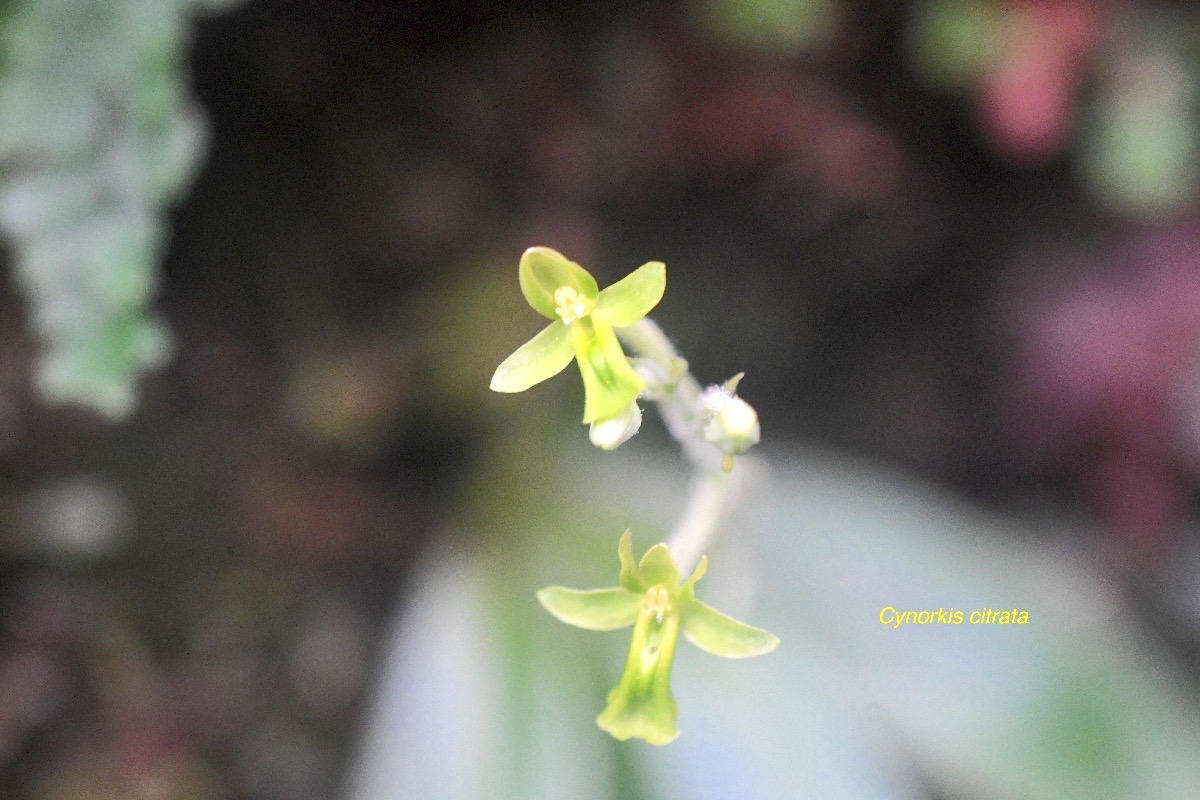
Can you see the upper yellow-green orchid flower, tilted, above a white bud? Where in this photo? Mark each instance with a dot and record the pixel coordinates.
(583, 329)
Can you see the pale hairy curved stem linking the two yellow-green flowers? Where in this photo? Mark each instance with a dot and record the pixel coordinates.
(679, 396)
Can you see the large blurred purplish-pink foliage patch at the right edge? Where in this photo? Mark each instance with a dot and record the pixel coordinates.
(1107, 384)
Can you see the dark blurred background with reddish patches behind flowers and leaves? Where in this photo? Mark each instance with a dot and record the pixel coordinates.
(959, 238)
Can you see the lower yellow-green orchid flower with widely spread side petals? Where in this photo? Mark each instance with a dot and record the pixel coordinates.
(652, 599)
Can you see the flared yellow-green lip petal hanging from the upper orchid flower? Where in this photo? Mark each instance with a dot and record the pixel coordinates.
(610, 382)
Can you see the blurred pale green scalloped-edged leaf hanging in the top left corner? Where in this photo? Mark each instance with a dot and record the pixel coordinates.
(99, 134)
